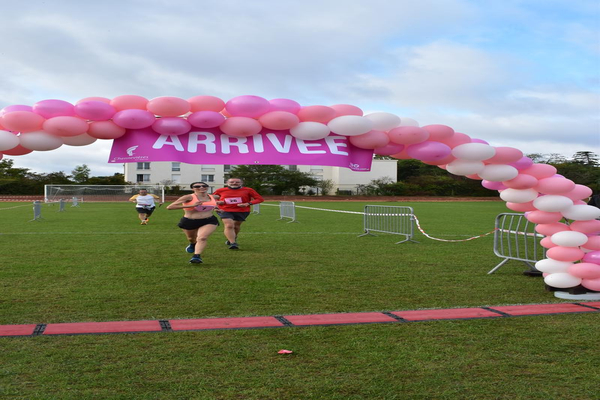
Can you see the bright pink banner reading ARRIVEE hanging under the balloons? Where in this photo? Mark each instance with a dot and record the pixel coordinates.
(211, 146)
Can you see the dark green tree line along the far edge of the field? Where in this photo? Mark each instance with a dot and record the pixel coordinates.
(414, 178)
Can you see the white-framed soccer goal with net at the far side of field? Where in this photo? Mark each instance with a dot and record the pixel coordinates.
(88, 193)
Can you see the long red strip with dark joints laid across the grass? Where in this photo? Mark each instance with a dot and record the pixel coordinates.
(82, 328)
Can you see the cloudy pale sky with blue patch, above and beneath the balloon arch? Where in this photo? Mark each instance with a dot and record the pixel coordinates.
(520, 73)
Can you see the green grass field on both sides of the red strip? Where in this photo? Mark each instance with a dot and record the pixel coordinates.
(96, 263)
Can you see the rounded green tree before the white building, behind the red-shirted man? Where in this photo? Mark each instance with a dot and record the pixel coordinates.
(273, 179)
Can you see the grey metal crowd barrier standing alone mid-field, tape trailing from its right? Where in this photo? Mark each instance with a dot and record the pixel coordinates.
(390, 219)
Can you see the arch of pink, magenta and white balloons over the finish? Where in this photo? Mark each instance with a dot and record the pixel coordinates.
(549, 200)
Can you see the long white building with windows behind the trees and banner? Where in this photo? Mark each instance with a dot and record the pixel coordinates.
(178, 173)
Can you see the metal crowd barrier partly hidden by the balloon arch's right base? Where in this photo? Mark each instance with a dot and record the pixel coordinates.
(515, 238)
